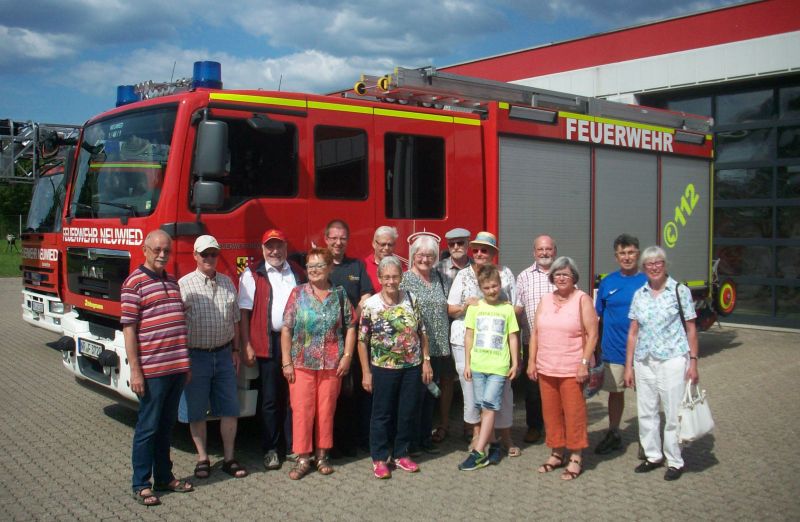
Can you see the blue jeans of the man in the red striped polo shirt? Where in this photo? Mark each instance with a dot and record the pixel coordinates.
(158, 411)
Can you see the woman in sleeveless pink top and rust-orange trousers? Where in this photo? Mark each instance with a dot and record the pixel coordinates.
(561, 343)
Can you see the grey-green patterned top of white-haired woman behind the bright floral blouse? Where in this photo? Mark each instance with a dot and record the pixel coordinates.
(433, 305)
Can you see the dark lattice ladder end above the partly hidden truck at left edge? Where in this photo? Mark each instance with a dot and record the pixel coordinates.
(29, 148)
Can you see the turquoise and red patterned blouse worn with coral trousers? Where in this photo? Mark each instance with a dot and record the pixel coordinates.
(316, 326)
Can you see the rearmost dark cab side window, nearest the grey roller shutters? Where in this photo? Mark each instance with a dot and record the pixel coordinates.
(415, 176)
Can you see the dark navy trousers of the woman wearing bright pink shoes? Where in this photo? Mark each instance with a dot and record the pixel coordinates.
(395, 406)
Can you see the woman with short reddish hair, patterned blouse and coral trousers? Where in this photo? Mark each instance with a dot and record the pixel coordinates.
(317, 341)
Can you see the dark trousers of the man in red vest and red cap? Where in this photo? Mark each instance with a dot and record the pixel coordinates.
(276, 415)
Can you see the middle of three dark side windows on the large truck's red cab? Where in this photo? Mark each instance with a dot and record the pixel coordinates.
(340, 159)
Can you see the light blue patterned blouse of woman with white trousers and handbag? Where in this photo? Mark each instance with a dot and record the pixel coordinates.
(661, 334)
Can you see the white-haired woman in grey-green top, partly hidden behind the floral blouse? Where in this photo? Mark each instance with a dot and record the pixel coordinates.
(426, 284)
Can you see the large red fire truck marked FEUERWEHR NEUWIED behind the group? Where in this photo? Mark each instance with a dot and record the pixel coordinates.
(418, 150)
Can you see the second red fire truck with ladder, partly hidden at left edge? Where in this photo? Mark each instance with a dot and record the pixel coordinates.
(41, 152)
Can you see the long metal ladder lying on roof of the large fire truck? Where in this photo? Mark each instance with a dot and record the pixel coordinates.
(427, 87)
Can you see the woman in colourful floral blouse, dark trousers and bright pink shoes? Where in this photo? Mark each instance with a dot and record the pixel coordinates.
(393, 349)
